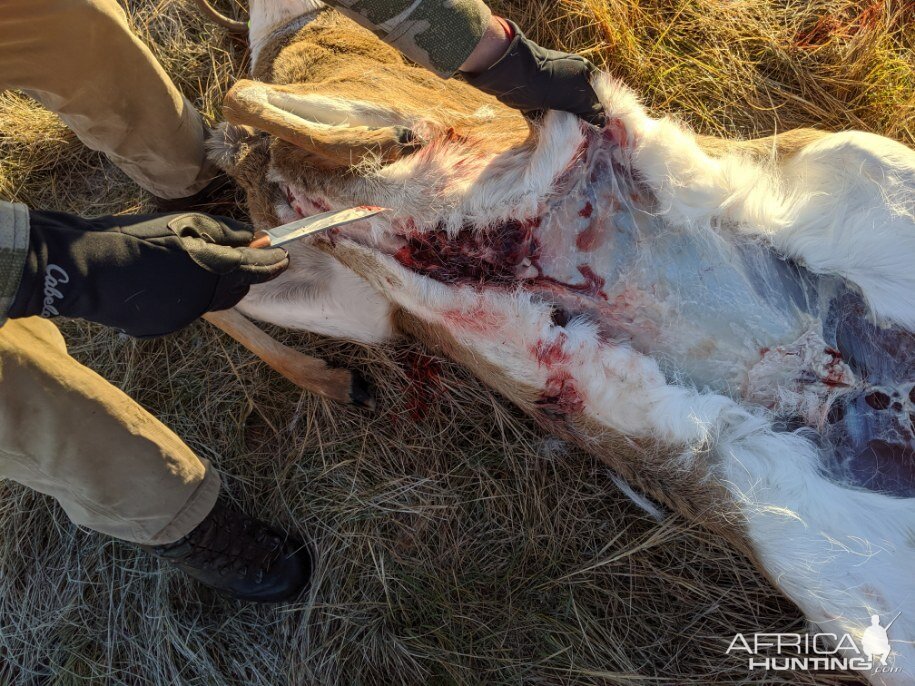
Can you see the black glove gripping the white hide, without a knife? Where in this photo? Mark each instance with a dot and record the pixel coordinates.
(532, 79)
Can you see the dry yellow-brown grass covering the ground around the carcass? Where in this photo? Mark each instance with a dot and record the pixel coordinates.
(458, 544)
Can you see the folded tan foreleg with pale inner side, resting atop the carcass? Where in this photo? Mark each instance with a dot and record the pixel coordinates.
(339, 133)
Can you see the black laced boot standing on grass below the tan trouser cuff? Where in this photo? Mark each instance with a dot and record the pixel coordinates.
(241, 557)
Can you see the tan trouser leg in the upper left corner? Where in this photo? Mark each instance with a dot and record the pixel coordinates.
(79, 59)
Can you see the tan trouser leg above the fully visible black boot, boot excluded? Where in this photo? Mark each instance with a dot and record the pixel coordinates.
(67, 432)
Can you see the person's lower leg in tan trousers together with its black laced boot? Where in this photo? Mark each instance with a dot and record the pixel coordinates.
(114, 468)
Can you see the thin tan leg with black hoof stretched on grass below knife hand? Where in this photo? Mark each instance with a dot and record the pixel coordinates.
(306, 372)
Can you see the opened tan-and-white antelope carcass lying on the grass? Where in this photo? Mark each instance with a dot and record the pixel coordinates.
(728, 325)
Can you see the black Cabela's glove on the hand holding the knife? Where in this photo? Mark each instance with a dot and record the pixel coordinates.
(146, 275)
